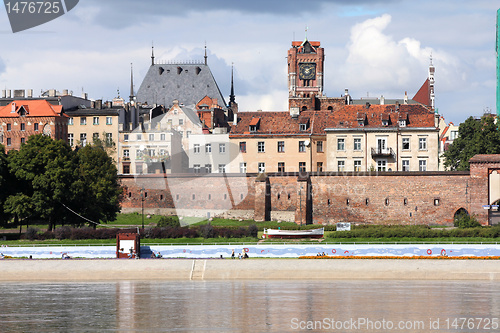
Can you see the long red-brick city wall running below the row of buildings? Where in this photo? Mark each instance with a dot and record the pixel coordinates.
(386, 197)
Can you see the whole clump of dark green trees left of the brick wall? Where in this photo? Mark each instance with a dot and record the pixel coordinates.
(46, 180)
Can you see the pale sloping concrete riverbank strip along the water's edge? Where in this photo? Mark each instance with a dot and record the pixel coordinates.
(52, 270)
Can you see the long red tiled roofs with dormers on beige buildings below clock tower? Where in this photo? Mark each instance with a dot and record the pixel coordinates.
(281, 123)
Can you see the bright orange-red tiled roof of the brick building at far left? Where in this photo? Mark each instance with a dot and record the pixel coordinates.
(34, 108)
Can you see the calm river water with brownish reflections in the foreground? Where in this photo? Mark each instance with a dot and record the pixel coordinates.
(251, 306)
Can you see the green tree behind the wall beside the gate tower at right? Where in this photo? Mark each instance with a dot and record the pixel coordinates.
(474, 137)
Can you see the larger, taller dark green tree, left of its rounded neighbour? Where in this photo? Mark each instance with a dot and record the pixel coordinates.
(45, 171)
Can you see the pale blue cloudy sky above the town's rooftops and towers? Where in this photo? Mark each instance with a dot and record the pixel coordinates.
(372, 47)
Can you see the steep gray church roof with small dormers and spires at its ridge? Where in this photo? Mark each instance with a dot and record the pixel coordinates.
(186, 82)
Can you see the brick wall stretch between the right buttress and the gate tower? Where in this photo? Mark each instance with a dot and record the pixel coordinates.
(415, 198)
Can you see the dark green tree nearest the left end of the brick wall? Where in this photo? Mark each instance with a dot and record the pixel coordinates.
(97, 191)
